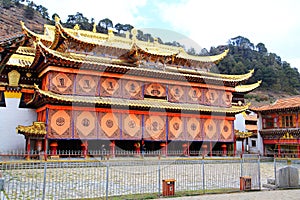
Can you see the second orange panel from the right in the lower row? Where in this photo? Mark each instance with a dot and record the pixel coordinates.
(210, 131)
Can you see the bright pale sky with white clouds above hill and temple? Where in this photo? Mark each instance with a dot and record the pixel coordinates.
(199, 23)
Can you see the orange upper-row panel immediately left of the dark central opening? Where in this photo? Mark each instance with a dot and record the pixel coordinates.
(132, 89)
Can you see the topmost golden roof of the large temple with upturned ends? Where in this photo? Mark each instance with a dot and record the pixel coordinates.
(52, 33)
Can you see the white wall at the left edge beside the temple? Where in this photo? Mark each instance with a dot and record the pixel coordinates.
(10, 117)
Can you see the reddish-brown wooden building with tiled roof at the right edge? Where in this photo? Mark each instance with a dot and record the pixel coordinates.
(279, 127)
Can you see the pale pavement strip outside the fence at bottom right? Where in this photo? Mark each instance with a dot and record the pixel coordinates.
(254, 195)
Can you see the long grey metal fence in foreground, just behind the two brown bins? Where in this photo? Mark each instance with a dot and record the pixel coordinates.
(67, 179)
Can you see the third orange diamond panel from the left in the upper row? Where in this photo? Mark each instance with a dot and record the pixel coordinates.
(110, 87)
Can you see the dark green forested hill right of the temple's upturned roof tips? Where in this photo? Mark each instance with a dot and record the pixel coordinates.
(277, 75)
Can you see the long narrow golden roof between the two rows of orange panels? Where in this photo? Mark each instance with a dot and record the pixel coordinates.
(141, 103)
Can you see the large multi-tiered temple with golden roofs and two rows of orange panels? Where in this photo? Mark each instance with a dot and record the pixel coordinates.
(87, 89)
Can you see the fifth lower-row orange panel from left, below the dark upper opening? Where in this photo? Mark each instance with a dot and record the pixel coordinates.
(155, 127)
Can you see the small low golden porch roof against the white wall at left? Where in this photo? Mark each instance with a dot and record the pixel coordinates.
(37, 128)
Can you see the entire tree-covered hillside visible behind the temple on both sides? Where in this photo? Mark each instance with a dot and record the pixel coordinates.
(277, 75)
